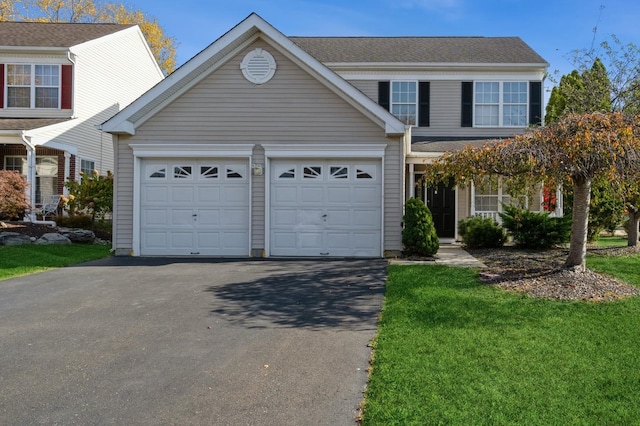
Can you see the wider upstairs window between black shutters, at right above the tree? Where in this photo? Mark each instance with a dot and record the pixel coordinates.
(500, 104)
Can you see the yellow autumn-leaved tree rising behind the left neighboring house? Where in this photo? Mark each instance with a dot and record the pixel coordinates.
(90, 11)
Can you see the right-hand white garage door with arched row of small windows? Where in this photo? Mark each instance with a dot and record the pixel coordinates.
(325, 208)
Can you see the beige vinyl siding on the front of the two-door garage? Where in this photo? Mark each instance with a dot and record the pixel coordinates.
(292, 108)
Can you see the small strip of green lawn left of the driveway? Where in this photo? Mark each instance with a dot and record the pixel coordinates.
(30, 258)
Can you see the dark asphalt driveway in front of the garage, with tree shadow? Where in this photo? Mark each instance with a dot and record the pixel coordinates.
(199, 342)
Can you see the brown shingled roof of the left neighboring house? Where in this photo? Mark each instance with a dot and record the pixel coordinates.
(53, 35)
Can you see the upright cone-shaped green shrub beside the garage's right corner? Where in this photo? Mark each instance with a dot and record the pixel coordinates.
(419, 234)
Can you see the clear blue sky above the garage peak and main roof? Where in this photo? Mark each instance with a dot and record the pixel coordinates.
(553, 28)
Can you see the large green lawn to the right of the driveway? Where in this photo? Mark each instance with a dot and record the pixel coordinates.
(453, 351)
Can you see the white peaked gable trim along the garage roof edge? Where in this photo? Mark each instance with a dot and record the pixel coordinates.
(211, 58)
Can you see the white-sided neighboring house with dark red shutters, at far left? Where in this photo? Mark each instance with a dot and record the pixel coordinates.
(59, 82)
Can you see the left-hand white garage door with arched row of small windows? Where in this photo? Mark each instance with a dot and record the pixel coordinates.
(191, 207)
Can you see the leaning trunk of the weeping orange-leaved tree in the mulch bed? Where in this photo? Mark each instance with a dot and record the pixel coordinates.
(579, 224)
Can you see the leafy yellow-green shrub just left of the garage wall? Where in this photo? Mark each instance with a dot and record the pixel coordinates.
(92, 195)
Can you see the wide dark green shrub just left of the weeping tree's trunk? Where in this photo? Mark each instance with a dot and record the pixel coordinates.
(535, 230)
